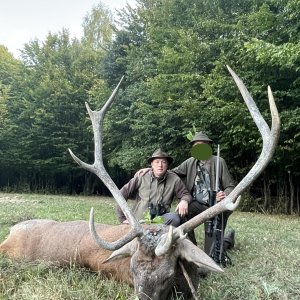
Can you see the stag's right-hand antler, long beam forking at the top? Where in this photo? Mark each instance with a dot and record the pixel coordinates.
(270, 139)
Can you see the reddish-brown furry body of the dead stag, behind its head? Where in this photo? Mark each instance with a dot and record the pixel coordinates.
(66, 242)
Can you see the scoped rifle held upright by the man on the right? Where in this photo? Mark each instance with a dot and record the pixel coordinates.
(214, 234)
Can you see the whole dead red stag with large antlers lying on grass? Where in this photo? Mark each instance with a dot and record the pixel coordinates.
(157, 260)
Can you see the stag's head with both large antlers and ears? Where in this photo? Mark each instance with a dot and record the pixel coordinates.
(161, 256)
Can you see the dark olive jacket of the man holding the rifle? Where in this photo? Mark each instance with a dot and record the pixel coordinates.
(187, 172)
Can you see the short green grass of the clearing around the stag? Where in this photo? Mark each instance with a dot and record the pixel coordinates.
(266, 256)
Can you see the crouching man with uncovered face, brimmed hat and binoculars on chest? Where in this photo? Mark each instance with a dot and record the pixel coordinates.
(155, 191)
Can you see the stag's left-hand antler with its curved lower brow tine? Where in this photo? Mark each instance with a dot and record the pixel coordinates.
(98, 168)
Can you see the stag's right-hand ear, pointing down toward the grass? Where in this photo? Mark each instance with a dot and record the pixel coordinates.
(191, 253)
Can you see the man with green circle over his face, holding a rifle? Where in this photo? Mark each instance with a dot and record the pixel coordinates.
(200, 178)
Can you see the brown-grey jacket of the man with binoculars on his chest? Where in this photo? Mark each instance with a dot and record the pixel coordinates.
(148, 189)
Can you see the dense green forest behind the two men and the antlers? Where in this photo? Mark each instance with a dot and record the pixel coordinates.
(173, 56)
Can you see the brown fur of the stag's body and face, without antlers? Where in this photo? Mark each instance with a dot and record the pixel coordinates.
(71, 242)
